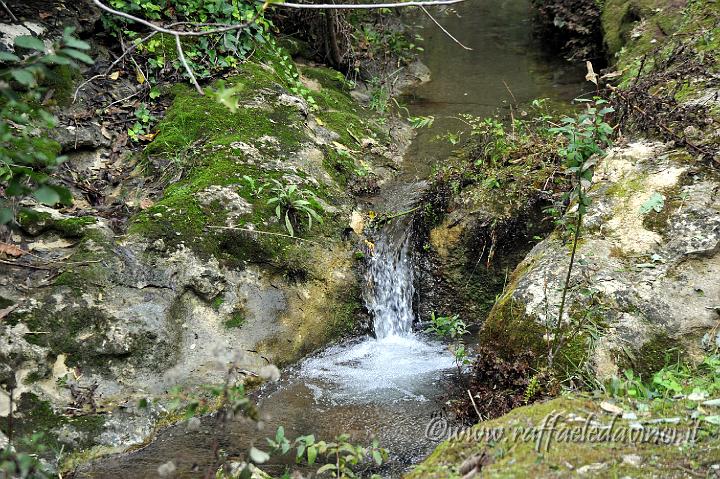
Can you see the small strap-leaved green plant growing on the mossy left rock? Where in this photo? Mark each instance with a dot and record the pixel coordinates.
(292, 204)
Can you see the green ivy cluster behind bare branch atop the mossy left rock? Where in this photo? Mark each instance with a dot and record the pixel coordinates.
(206, 55)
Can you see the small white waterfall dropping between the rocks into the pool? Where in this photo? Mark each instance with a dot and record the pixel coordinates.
(389, 277)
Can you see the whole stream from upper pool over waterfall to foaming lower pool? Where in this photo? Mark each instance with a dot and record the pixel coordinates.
(389, 386)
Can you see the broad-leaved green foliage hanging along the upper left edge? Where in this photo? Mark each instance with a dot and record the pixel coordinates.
(27, 154)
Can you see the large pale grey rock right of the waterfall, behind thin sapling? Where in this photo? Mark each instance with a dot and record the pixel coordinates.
(647, 266)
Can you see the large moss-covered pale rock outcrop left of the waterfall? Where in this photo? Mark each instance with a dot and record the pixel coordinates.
(202, 273)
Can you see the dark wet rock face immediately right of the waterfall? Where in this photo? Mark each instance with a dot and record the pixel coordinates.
(466, 259)
